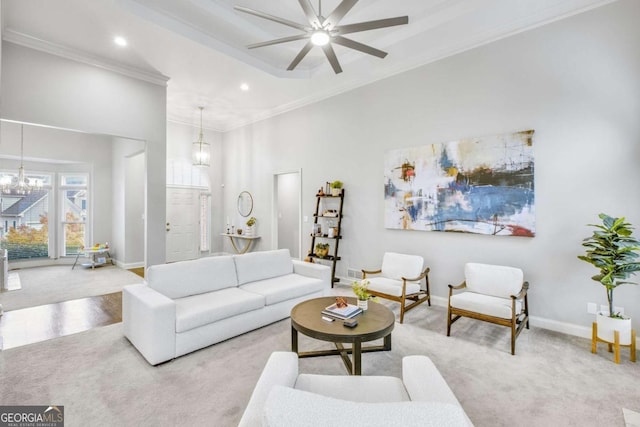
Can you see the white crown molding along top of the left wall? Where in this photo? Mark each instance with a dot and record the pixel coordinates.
(77, 55)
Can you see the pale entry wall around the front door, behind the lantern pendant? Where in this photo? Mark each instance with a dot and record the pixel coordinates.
(179, 139)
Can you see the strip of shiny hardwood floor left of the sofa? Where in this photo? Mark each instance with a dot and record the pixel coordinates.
(35, 324)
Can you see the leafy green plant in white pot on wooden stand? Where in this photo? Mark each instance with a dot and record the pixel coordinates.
(613, 250)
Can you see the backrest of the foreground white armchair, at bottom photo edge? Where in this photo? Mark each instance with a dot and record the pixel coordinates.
(290, 407)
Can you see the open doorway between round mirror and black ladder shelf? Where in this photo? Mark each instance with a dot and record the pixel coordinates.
(288, 210)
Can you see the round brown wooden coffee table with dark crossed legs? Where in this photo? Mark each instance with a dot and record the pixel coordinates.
(376, 322)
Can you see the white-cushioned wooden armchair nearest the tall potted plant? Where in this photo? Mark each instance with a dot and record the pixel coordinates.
(493, 293)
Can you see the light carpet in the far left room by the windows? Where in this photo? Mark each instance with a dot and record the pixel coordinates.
(47, 285)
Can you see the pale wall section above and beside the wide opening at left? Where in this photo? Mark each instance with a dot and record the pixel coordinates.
(45, 89)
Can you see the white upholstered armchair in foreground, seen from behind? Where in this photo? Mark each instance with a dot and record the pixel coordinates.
(283, 397)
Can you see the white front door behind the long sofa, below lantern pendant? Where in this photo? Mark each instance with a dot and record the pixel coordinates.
(183, 210)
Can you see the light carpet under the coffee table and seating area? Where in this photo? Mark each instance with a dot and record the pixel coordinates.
(102, 380)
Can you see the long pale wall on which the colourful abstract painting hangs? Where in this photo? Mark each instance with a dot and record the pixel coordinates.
(576, 82)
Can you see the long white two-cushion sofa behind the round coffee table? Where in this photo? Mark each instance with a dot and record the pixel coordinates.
(188, 305)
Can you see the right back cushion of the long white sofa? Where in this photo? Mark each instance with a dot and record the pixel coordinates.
(256, 266)
